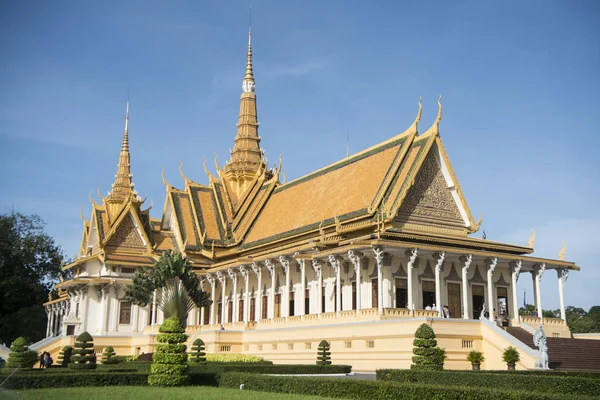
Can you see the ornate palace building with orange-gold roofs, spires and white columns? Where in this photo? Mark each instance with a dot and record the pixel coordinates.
(359, 253)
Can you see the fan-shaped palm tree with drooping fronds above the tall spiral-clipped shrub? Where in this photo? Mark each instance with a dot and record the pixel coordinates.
(180, 286)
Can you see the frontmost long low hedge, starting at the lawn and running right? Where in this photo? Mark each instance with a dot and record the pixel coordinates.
(376, 390)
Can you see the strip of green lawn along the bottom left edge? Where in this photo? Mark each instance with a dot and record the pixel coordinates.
(144, 392)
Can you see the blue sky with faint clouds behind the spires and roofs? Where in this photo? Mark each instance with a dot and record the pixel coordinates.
(520, 82)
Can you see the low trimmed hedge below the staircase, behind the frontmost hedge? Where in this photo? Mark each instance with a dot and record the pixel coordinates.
(538, 383)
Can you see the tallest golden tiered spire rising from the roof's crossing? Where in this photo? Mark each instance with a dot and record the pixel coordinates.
(246, 156)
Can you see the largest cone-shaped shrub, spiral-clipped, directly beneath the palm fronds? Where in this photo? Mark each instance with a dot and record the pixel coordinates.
(169, 363)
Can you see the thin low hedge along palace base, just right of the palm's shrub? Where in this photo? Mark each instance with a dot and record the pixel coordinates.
(284, 369)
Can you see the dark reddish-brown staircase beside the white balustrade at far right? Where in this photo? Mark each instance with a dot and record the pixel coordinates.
(565, 353)
